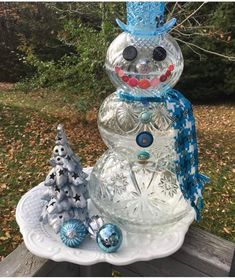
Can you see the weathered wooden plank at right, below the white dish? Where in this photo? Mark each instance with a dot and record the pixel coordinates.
(206, 252)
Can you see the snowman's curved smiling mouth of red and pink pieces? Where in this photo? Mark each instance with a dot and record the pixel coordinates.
(144, 83)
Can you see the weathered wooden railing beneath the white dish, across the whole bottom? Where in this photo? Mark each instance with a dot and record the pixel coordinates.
(202, 254)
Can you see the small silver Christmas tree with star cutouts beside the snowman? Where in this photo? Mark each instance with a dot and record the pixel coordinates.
(66, 194)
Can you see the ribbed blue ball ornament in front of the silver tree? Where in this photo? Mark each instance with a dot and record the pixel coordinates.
(73, 232)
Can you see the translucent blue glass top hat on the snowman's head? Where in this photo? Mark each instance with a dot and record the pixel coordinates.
(146, 19)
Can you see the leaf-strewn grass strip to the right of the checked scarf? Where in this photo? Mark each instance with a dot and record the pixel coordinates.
(216, 137)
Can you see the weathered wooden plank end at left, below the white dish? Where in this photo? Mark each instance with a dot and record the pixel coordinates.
(20, 263)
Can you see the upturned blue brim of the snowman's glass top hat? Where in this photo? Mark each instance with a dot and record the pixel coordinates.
(134, 31)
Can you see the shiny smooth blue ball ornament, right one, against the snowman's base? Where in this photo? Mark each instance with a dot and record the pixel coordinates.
(109, 238)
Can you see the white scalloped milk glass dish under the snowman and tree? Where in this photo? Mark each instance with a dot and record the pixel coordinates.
(42, 241)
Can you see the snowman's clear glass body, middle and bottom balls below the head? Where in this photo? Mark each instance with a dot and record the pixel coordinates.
(140, 193)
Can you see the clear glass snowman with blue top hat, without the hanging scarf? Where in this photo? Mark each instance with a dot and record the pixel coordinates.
(135, 182)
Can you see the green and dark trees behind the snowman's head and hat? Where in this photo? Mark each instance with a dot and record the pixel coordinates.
(62, 46)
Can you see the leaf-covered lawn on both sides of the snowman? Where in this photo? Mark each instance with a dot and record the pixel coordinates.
(27, 133)
